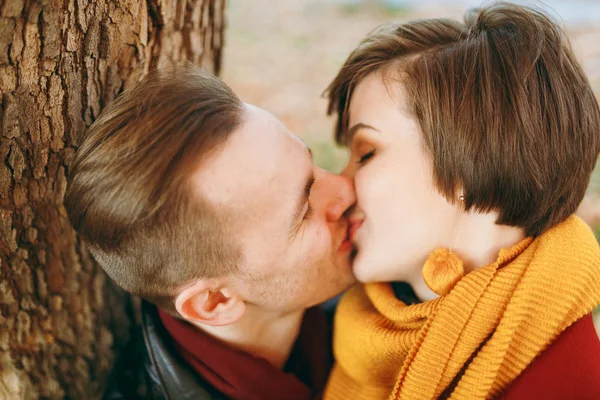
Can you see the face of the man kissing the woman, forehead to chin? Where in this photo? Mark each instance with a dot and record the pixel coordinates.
(291, 215)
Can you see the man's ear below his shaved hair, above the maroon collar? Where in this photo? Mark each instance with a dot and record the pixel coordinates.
(202, 302)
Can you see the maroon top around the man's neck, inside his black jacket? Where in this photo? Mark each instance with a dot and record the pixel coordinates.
(242, 376)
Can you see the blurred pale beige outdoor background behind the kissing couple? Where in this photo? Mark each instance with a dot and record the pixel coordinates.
(281, 55)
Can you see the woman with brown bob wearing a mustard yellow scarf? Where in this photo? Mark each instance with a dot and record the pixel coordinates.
(471, 147)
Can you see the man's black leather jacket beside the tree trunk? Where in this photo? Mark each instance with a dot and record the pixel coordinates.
(152, 369)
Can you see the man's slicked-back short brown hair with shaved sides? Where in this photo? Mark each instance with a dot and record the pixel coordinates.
(128, 193)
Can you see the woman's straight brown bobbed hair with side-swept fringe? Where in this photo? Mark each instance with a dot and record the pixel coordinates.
(504, 108)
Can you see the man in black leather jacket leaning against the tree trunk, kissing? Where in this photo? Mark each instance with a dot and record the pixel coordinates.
(212, 211)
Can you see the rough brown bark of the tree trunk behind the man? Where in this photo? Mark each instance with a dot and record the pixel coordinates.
(61, 62)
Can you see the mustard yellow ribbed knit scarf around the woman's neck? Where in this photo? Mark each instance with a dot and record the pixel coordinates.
(473, 342)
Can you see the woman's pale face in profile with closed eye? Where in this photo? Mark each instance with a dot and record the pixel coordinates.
(405, 217)
